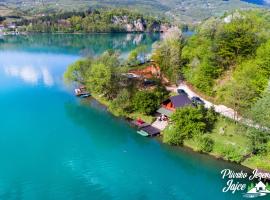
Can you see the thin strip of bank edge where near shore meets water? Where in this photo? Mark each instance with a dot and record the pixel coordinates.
(159, 138)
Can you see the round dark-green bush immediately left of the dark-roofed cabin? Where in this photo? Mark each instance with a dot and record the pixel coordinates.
(145, 102)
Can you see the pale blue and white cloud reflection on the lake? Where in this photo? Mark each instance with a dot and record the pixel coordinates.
(33, 68)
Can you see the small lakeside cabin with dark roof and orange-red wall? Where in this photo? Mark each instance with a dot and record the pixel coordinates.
(174, 102)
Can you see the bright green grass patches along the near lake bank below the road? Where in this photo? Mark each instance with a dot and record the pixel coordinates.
(233, 135)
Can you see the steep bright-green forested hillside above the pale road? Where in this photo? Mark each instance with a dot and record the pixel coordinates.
(228, 58)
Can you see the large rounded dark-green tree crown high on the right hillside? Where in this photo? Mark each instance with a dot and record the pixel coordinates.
(234, 40)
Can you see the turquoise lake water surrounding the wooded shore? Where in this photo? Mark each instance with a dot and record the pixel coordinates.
(55, 146)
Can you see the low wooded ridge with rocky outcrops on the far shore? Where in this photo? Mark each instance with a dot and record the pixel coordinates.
(94, 21)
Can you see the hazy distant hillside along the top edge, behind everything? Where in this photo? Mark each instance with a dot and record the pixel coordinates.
(188, 11)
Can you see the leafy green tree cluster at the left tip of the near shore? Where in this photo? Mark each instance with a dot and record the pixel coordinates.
(100, 75)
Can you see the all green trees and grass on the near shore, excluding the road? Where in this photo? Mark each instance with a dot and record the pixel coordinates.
(226, 60)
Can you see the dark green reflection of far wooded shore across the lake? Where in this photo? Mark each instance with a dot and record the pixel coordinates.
(82, 44)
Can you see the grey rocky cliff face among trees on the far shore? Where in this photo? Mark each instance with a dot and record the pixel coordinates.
(139, 25)
